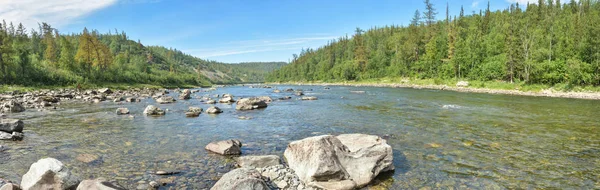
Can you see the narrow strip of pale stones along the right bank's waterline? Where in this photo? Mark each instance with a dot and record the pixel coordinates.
(464, 87)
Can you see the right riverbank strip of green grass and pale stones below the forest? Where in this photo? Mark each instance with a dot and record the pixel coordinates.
(473, 87)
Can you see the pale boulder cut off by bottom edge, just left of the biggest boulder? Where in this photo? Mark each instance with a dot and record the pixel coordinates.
(241, 179)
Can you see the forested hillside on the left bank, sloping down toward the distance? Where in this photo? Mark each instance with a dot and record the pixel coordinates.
(46, 57)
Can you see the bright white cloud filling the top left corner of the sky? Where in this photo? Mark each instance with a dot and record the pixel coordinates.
(54, 12)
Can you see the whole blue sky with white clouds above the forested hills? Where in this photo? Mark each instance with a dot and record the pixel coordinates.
(228, 31)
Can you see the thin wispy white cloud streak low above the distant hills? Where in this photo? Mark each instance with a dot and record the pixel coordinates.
(253, 46)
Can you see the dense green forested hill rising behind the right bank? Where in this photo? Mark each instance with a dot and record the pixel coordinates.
(544, 43)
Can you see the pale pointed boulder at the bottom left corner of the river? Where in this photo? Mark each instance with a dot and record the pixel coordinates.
(49, 173)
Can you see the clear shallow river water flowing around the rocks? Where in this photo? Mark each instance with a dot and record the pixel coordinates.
(441, 139)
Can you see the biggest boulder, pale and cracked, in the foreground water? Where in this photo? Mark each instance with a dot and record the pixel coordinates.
(343, 162)
